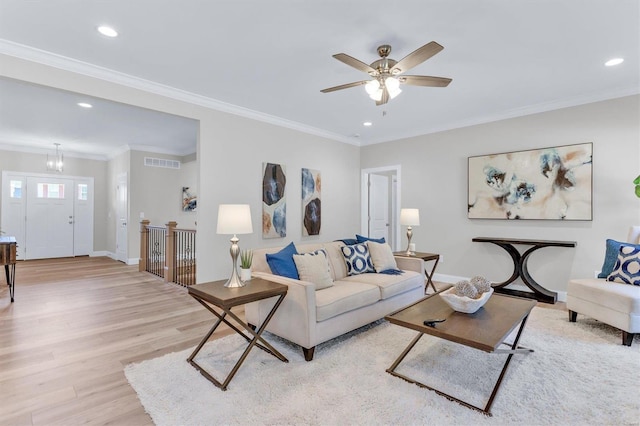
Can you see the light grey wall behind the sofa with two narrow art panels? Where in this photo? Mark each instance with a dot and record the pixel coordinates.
(231, 150)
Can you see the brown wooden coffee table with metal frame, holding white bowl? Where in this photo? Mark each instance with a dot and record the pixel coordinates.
(485, 330)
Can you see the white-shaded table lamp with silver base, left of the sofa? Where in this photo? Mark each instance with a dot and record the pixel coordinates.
(234, 219)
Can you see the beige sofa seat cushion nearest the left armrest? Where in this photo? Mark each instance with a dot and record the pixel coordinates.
(344, 297)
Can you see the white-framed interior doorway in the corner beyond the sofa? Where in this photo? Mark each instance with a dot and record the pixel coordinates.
(380, 209)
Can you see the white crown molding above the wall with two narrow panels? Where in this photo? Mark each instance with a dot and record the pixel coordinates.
(79, 67)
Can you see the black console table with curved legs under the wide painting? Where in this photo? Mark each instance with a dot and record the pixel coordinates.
(520, 266)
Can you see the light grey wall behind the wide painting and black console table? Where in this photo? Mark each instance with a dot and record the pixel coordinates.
(434, 179)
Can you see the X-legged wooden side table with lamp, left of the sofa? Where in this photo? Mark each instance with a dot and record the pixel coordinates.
(216, 294)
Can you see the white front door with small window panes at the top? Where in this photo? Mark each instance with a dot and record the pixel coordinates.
(49, 225)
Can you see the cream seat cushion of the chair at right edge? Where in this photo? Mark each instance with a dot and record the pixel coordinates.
(618, 297)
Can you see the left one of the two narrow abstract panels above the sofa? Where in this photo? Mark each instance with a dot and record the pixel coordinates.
(274, 201)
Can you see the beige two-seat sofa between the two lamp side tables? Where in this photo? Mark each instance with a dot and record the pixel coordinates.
(308, 317)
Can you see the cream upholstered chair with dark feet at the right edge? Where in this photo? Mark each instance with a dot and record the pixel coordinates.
(612, 303)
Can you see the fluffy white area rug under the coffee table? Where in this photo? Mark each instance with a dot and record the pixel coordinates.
(579, 374)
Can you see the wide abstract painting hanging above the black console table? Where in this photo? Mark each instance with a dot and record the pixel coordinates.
(549, 183)
